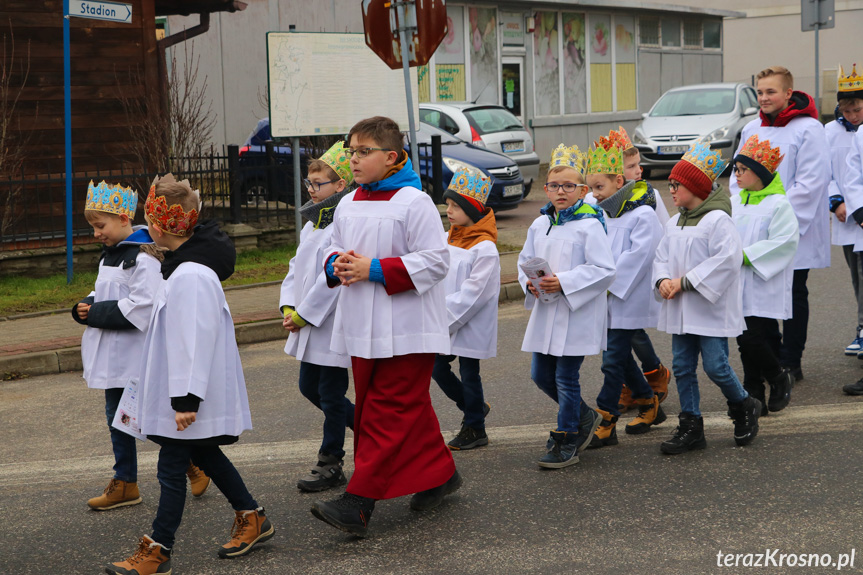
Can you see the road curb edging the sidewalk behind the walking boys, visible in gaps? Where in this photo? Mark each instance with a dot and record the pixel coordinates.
(69, 358)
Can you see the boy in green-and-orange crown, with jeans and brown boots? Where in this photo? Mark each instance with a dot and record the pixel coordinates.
(634, 232)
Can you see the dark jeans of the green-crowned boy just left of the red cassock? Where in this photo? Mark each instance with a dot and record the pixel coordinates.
(325, 387)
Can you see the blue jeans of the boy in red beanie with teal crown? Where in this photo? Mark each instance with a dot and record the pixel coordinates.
(714, 357)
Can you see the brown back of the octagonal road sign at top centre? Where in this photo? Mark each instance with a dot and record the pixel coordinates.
(425, 21)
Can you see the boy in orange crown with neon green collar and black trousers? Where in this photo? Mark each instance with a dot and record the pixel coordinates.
(769, 233)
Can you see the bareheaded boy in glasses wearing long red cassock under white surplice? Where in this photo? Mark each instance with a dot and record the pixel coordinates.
(389, 255)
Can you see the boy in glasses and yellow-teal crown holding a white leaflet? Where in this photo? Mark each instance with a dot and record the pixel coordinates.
(569, 235)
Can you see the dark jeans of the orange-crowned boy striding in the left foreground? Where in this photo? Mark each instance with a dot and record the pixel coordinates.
(171, 471)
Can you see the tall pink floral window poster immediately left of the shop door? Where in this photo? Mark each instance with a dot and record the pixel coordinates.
(483, 55)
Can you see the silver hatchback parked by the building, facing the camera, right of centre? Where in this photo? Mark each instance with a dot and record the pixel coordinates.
(716, 112)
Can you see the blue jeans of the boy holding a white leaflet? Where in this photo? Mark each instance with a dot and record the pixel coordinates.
(557, 377)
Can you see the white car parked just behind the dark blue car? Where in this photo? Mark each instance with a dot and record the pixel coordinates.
(491, 127)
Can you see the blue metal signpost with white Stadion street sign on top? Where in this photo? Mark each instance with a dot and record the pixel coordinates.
(113, 12)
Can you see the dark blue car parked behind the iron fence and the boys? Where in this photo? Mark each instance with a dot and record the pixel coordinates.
(506, 193)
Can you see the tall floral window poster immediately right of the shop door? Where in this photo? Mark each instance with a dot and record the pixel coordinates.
(546, 58)
